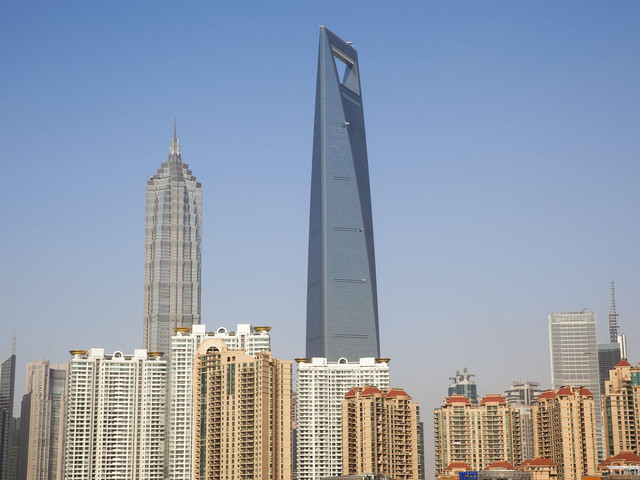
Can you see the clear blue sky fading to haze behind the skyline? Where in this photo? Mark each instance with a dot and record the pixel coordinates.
(504, 154)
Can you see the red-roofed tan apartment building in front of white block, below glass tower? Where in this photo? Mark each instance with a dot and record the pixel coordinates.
(380, 433)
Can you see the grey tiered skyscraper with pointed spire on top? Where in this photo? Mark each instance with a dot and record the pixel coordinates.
(173, 251)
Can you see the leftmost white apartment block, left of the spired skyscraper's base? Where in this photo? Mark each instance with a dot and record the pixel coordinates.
(115, 416)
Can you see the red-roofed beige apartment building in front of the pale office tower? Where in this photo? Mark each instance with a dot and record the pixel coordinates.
(564, 424)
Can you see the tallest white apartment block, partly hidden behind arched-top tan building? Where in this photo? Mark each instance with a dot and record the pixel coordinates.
(184, 344)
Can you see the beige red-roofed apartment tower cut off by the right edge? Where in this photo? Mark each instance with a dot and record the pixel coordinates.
(621, 409)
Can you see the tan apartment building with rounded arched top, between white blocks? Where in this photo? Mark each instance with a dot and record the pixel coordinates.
(243, 409)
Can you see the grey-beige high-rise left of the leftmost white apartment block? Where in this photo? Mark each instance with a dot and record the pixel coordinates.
(43, 422)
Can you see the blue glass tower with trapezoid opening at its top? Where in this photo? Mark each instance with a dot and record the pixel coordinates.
(342, 303)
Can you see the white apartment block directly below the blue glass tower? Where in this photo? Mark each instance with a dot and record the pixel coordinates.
(321, 388)
